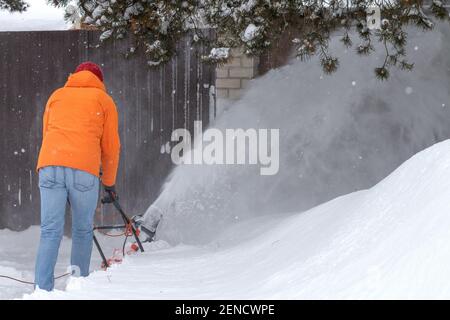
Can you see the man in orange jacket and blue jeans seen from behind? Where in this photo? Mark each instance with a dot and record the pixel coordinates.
(80, 137)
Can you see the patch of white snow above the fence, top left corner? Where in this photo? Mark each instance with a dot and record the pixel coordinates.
(39, 16)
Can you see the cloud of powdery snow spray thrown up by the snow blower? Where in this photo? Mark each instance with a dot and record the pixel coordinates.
(338, 134)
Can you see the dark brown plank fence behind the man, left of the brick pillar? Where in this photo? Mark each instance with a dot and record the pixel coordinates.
(151, 103)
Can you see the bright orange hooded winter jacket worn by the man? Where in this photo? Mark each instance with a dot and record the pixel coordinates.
(80, 128)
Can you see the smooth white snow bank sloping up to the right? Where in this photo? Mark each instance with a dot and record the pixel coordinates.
(387, 242)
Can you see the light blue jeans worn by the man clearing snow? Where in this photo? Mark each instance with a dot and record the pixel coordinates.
(57, 186)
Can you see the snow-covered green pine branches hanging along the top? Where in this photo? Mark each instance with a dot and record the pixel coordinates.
(256, 25)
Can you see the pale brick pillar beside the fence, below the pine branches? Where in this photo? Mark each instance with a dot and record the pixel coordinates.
(233, 77)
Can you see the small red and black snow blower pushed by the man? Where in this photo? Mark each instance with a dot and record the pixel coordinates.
(131, 226)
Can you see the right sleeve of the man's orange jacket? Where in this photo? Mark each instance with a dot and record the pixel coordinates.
(110, 143)
